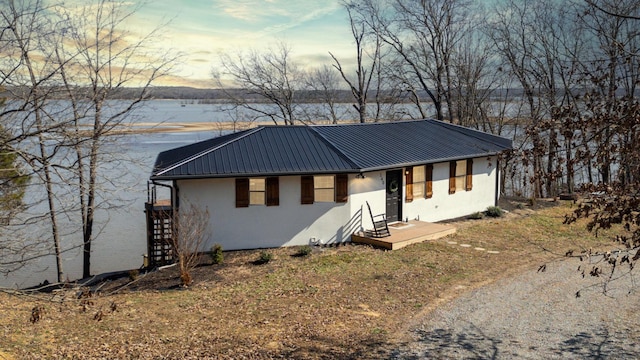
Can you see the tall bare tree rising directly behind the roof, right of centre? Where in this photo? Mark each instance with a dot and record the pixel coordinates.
(424, 34)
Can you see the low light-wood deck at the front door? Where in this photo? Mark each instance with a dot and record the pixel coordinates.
(403, 234)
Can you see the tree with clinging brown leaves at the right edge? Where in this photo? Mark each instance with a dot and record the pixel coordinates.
(608, 116)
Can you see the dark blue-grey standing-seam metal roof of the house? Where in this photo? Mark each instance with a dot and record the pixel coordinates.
(291, 150)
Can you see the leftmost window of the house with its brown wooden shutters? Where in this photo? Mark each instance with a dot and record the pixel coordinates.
(257, 191)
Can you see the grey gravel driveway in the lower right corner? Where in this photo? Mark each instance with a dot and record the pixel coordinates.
(534, 316)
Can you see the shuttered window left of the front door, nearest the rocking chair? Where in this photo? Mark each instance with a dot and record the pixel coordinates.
(324, 188)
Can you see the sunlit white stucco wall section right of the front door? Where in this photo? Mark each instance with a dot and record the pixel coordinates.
(443, 206)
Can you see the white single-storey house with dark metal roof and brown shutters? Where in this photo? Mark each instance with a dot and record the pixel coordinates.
(275, 186)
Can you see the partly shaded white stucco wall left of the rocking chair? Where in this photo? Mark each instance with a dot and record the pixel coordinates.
(260, 226)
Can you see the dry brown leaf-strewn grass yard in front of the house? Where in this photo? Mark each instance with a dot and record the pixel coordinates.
(344, 302)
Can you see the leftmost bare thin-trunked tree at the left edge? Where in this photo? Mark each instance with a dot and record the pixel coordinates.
(26, 70)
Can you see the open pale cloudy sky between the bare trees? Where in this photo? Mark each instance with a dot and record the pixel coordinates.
(202, 29)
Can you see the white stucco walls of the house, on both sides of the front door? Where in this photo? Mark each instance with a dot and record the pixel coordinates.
(291, 223)
